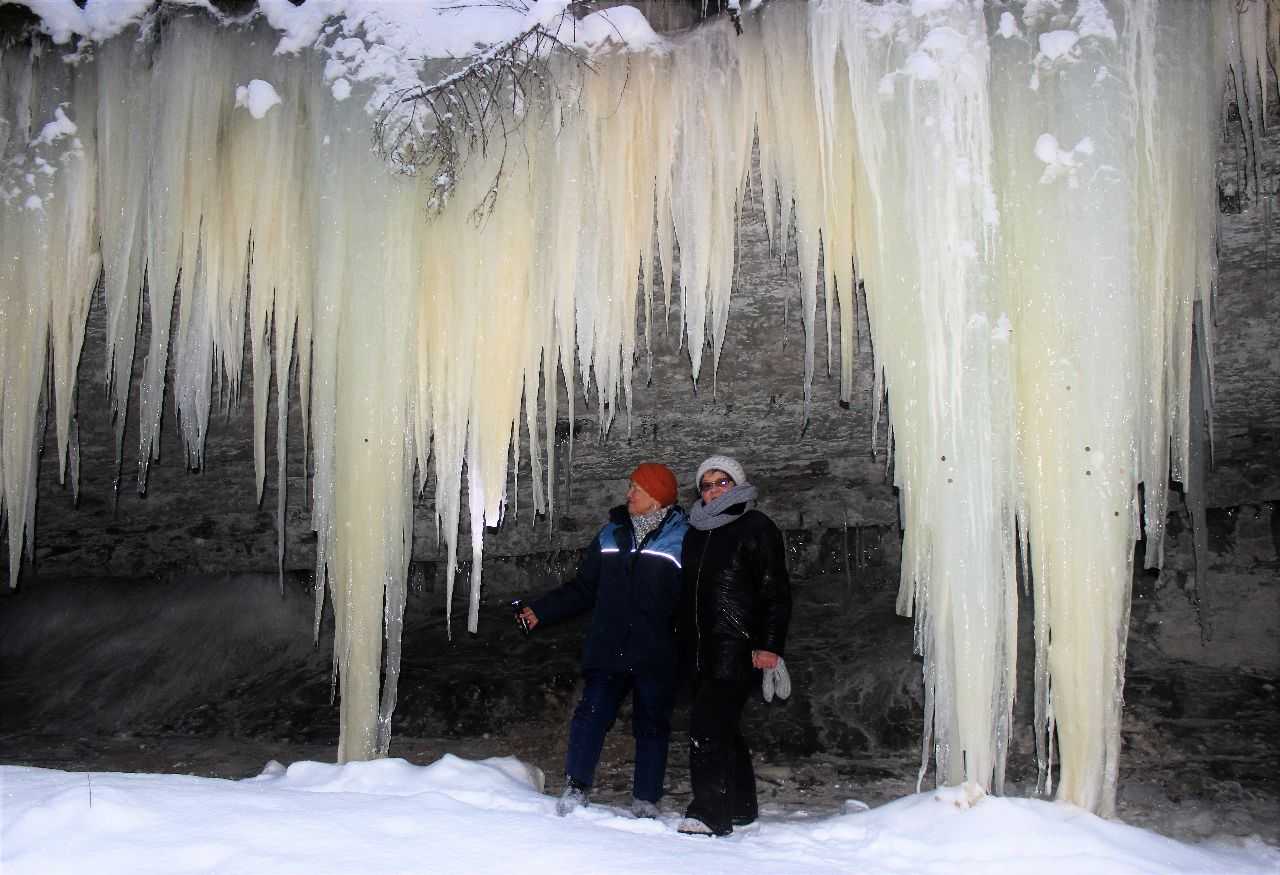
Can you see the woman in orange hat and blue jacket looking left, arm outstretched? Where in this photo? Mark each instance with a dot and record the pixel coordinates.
(630, 579)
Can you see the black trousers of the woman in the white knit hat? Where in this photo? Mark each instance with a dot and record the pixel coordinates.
(720, 762)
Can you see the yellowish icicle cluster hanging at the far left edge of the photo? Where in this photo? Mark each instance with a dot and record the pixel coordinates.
(51, 267)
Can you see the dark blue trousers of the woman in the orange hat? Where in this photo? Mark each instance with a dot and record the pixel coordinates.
(652, 699)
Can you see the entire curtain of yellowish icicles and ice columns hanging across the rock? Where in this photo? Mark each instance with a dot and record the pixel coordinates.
(1026, 194)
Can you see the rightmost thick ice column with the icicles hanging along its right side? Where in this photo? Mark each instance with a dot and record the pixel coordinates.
(1105, 256)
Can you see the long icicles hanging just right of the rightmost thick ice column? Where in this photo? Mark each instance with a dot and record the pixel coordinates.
(1176, 134)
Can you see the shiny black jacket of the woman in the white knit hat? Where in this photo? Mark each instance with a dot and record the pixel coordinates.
(738, 595)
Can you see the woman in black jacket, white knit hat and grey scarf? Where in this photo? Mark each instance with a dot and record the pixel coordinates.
(737, 604)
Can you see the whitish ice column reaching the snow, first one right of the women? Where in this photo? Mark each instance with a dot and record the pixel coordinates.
(927, 228)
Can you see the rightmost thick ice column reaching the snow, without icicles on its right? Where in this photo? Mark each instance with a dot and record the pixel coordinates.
(1067, 198)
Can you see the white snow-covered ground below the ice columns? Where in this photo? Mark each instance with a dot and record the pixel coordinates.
(458, 816)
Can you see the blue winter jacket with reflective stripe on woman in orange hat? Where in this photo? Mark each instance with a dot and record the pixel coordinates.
(636, 592)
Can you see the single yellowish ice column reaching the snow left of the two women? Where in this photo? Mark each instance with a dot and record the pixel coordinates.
(378, 227)
